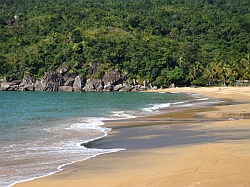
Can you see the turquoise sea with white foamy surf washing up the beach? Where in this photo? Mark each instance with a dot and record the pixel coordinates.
(40, 132)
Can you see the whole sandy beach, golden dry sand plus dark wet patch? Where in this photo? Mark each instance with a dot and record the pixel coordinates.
(190, 147)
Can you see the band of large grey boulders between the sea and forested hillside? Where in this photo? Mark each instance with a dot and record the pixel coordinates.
(65, 80)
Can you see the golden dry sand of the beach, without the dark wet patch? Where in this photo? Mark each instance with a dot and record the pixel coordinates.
(213, 163)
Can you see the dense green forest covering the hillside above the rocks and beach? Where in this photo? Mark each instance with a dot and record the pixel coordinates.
(162, 41)
